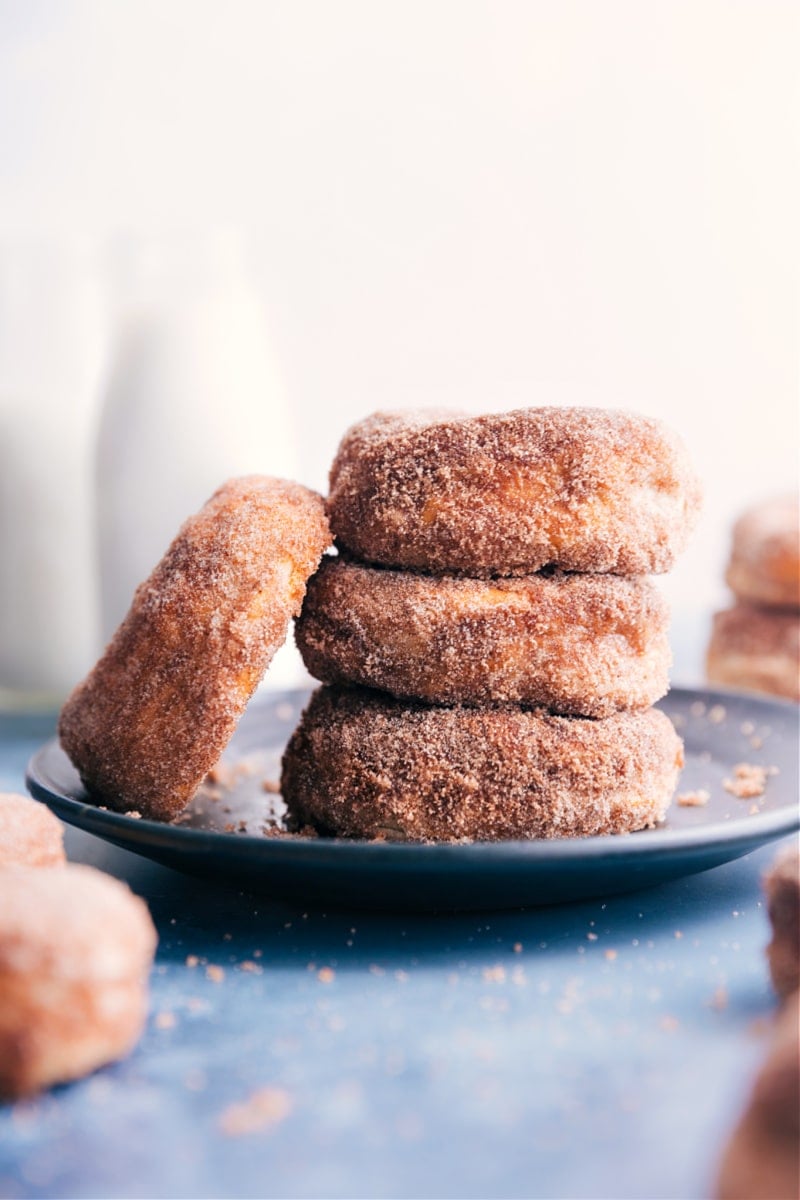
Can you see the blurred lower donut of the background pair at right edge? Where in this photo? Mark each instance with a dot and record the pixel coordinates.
(756, 650)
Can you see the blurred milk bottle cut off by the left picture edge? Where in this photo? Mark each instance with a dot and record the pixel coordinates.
(52, 346)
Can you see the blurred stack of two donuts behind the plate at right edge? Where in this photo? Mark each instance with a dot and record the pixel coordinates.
(755, 644)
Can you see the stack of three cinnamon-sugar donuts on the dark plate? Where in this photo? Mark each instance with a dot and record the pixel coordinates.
(489, 644)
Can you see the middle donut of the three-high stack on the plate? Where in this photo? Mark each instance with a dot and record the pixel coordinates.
(586, 645)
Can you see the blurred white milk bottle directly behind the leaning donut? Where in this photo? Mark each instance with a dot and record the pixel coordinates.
(194, 398)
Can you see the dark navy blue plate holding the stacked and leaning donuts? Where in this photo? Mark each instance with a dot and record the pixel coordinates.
(231, 830)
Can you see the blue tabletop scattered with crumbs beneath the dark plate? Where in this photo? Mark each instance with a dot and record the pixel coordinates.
(592, 1051)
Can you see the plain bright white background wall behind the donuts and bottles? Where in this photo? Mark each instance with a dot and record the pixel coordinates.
(474, 205)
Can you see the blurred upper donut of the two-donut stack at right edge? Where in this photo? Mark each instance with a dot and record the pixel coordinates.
(765, 566)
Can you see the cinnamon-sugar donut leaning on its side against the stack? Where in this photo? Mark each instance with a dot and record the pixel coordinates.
(157, 712)
